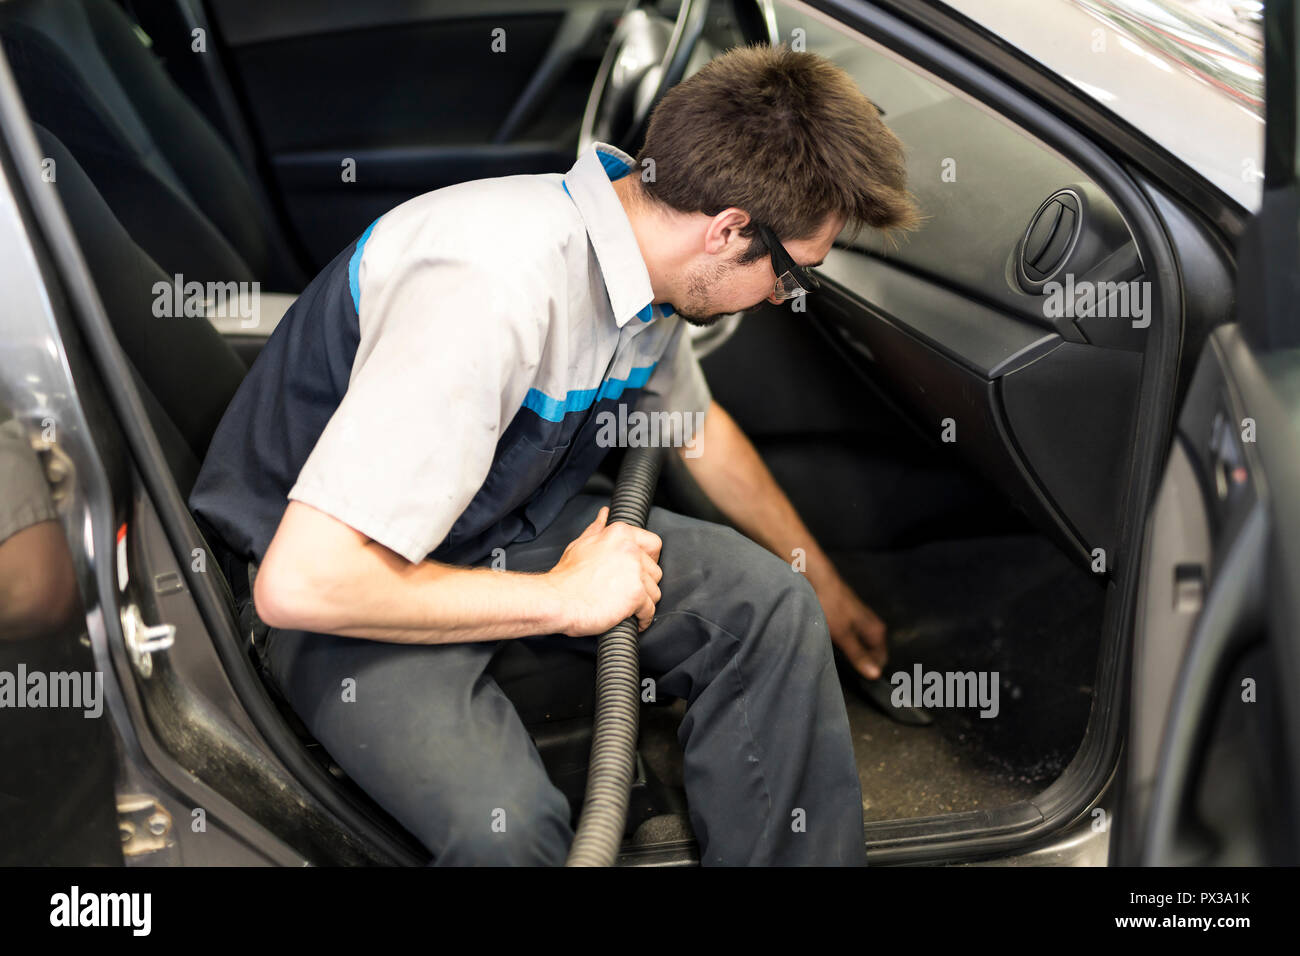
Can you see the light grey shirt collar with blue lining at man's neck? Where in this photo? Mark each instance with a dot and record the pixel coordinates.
(590, 184)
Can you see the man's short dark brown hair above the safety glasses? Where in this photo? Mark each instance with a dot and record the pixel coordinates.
(787, 137)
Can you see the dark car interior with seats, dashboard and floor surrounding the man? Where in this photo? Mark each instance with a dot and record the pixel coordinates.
(964, 457)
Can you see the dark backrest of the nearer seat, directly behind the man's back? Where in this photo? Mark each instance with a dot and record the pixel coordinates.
(187, 370)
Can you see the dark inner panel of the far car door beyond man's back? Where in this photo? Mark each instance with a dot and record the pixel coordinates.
(356, 109)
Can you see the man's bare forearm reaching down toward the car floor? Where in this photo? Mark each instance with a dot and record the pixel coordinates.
(734, 477)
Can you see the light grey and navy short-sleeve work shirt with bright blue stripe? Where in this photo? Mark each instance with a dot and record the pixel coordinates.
(450, 382)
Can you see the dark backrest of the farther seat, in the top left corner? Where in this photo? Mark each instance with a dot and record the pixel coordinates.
(167, 175)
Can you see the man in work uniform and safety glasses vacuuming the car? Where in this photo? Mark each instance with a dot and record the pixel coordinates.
(435, 397)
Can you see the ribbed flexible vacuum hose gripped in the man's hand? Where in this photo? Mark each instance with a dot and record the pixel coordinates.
(618, 691)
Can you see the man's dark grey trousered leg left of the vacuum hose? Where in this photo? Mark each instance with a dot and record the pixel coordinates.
(428, 734)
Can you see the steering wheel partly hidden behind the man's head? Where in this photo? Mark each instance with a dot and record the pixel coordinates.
(648, 57)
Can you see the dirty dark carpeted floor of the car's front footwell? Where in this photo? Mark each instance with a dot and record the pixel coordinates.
(1013, 605)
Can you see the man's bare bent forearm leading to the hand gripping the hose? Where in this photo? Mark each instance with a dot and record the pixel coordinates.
(320, 576)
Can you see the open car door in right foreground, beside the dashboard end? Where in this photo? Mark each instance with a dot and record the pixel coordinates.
(1214, 746)
